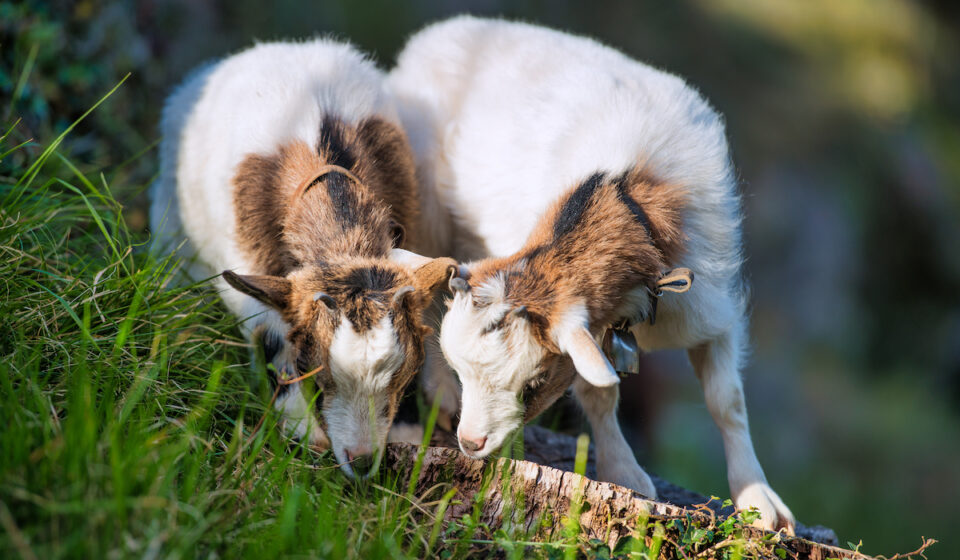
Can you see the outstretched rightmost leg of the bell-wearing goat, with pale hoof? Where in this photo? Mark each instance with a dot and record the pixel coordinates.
(716, 364)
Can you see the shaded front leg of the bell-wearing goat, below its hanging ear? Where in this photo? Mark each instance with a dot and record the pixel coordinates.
(615, 460)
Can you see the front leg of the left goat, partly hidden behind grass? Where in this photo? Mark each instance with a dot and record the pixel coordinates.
(297, 417)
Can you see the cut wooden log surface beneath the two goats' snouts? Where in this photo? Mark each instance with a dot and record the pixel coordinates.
(541, 490)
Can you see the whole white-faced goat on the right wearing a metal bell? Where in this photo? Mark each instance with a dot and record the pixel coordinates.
(589, 181)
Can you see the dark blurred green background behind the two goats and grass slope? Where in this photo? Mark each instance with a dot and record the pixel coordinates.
(844, 118)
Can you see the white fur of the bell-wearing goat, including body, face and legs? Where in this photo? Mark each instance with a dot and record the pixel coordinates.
(505, 118)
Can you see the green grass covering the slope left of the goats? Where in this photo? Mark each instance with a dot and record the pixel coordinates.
(127, 404)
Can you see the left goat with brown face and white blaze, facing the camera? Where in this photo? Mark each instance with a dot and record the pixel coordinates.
(286, 167)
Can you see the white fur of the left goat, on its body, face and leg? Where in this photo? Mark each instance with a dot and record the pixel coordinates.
(252, 103)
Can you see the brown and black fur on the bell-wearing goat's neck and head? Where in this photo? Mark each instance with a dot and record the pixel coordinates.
(601, 240)
